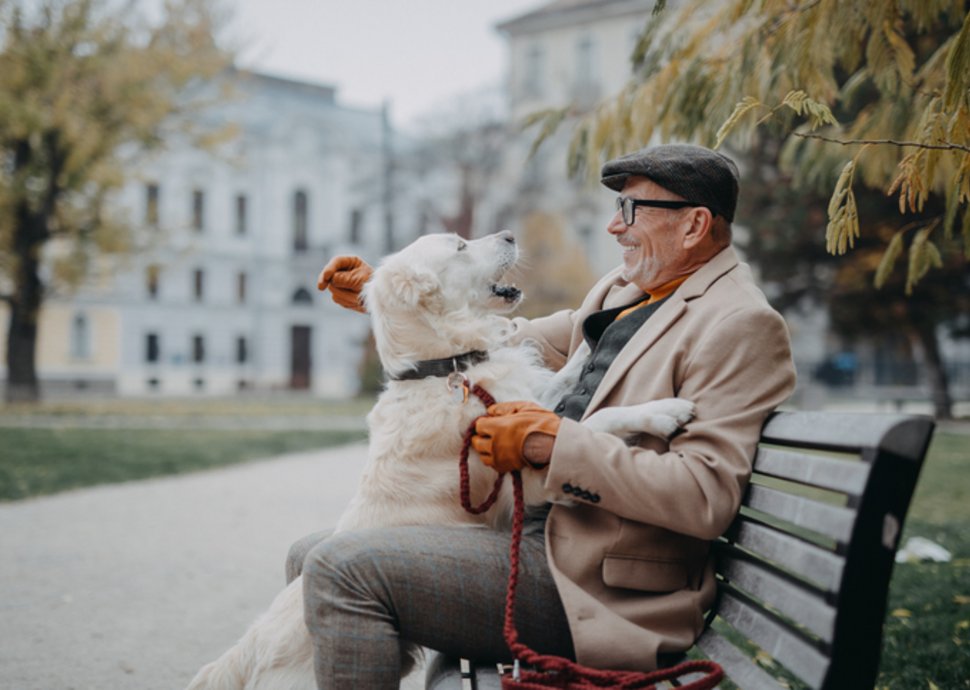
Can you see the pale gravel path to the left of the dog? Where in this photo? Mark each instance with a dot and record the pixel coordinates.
(138, 585)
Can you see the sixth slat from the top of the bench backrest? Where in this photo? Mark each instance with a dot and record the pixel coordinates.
(793, 652)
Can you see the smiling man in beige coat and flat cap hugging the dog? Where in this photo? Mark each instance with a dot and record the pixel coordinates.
(621, 578)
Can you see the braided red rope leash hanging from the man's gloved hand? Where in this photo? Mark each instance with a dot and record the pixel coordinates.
(549, 671)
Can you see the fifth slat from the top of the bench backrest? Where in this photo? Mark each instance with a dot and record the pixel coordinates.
(799, 603)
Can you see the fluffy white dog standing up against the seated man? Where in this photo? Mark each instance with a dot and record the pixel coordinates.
(435, 308)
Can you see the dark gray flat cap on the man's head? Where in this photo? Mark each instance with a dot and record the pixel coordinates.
(696, 173)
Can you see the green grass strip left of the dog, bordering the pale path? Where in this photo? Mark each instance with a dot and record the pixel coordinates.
(44, 461)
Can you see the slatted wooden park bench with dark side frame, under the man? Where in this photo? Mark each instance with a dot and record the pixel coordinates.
(803, 573)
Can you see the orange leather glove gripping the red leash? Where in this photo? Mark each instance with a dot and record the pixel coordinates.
(500, 435)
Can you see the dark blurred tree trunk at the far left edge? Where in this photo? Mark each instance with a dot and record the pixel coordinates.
(22, 383)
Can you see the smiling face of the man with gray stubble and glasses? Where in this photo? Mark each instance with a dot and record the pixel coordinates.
(653, 247)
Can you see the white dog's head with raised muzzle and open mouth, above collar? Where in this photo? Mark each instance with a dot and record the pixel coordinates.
(439, 296)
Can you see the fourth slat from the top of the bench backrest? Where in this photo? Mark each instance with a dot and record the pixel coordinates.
(809, 561)
